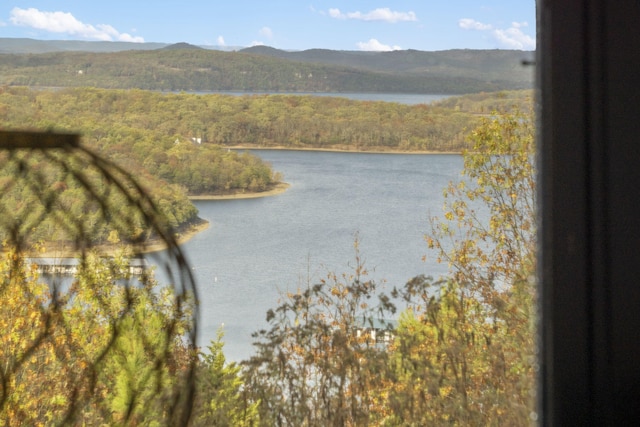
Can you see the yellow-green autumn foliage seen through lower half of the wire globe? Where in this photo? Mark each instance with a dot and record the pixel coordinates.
(96, 352)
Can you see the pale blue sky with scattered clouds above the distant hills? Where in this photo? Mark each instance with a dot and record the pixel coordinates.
(284, 24)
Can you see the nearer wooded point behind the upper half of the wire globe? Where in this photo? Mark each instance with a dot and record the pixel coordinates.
(42, 200)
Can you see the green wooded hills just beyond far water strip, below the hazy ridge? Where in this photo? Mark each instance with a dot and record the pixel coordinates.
(207, 70)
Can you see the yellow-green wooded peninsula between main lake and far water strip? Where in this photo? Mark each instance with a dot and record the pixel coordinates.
(180, 145)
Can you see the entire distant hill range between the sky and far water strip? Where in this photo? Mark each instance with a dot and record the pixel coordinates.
(181, 66)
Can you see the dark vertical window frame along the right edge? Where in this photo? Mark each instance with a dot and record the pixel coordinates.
(588, 71)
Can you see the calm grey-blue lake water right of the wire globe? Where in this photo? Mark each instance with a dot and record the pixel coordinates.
(256, 248)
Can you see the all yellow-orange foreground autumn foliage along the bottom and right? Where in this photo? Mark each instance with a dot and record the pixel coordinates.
(345, 351)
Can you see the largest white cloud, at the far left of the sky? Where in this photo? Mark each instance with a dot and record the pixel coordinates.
(66, 23)
